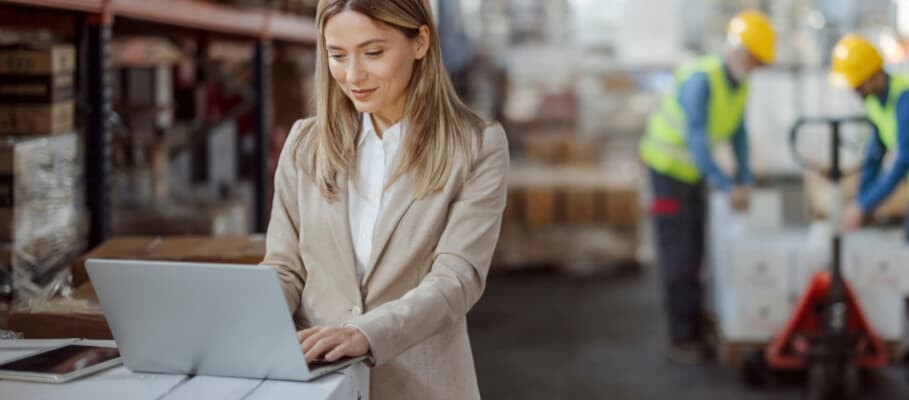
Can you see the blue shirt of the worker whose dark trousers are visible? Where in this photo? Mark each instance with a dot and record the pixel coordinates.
(694, 97)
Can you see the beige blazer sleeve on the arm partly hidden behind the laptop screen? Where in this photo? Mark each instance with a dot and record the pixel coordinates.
(282, 250)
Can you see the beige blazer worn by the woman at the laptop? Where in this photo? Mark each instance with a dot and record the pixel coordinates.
(428, 267)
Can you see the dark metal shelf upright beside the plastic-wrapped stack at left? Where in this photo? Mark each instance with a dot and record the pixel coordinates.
(97, 124)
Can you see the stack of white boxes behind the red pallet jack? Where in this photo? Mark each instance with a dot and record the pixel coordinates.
(761, 269)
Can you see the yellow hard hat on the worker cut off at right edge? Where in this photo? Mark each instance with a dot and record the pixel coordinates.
(854, 60)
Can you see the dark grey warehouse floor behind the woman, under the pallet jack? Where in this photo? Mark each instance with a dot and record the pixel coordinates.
(546, 336)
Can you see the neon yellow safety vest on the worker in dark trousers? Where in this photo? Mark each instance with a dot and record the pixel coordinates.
(664, 147)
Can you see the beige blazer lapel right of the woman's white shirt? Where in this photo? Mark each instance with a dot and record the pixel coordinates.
(396, 201)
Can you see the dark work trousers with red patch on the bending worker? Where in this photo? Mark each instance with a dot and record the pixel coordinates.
(679, 211)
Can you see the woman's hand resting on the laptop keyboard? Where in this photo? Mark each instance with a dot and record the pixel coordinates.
(334, 342)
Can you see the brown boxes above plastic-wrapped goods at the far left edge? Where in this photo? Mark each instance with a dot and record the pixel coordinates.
(40, 171)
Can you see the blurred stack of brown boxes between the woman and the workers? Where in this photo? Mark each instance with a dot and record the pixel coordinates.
(575, 216)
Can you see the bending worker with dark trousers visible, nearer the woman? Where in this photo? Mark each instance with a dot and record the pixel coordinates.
(706, 107)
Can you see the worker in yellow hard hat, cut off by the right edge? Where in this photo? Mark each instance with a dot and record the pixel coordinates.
(856, 64)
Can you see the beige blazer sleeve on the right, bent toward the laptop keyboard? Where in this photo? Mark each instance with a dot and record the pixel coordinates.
(460, 265)
